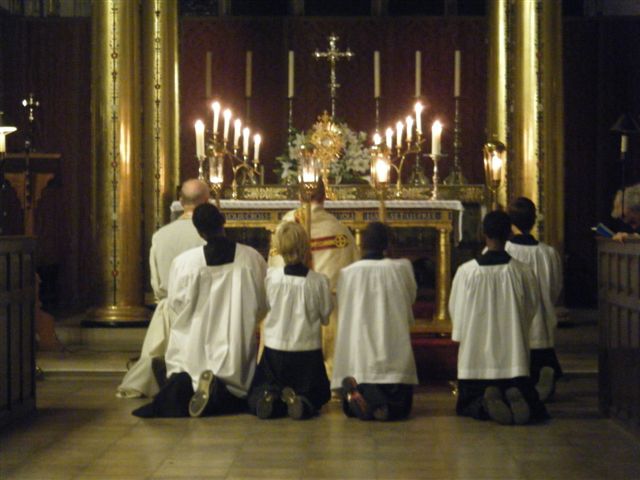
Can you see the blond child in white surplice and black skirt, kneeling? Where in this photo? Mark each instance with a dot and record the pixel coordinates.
(291, 377)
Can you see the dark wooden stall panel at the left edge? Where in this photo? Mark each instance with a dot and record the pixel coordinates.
(17, 333)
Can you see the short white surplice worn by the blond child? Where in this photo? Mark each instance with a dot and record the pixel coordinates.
(298, 306)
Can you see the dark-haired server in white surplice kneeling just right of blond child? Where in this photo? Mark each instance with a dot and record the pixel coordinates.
(374, 364)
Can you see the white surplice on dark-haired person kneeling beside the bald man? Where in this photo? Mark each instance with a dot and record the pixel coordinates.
(216, 310)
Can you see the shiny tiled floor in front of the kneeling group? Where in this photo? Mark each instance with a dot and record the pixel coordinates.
(83, 431)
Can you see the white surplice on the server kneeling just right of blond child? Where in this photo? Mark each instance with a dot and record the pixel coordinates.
(373, 342)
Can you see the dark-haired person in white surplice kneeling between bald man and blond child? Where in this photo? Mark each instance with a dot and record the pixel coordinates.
(216, 296)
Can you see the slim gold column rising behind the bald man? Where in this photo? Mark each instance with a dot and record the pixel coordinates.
(160, 147)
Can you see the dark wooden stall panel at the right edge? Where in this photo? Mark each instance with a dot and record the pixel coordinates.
(619, 351)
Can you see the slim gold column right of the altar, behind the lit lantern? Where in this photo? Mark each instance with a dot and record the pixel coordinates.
(497, 83)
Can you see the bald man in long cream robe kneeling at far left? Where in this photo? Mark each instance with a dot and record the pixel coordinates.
(166, 244)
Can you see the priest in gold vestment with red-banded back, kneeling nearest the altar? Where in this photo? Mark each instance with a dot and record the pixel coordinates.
(332, 248)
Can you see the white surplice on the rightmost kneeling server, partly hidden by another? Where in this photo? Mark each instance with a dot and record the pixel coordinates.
(547, 266)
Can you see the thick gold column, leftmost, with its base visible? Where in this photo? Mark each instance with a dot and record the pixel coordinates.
(116, 134)
